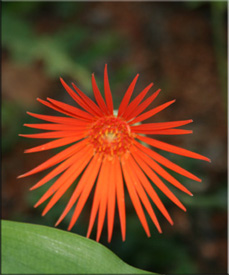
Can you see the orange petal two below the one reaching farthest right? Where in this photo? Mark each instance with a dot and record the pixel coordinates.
(162, 172)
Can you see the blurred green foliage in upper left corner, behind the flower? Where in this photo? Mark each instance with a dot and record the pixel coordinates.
(67, 51)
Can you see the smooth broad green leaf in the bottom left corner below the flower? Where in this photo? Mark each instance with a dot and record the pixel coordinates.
(36, 249)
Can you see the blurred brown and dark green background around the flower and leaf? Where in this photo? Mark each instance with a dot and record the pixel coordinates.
(181, 47)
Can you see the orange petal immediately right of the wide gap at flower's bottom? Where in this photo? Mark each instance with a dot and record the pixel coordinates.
(134, 196)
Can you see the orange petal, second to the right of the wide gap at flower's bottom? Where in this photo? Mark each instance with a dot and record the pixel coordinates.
(142, 195)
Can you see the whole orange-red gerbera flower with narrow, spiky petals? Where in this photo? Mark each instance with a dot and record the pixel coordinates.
(107, 149)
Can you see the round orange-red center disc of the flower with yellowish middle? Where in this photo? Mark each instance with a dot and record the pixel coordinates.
(111, 136)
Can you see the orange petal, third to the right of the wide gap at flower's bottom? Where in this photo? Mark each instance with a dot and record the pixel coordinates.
(149, 189)
